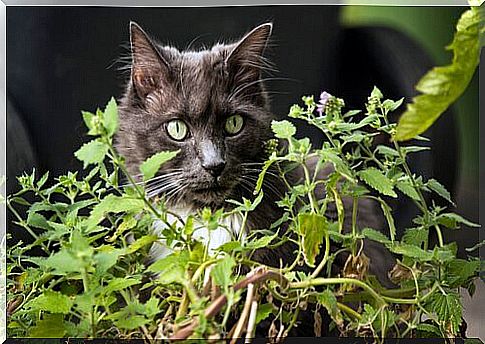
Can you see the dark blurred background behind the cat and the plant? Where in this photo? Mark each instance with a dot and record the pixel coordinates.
(61, 60)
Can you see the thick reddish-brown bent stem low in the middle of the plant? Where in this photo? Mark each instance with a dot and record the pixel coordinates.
(258, 275)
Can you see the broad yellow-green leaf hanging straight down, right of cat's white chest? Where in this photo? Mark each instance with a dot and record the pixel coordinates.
(313, 228)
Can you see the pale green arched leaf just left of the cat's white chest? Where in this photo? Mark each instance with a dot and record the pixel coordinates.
(112, 204)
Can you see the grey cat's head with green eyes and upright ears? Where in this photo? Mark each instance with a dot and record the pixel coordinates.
(208, 104)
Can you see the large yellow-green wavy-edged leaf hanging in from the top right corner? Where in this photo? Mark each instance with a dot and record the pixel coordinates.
(442, 86)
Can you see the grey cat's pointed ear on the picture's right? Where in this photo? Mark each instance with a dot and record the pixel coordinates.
(247, 55)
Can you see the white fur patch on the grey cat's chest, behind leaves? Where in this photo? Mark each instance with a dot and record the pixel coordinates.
(229, 229)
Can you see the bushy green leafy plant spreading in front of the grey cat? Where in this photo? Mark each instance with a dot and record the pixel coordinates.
(84, 273)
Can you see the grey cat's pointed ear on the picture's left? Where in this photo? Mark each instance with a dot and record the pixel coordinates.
(148, 69)
